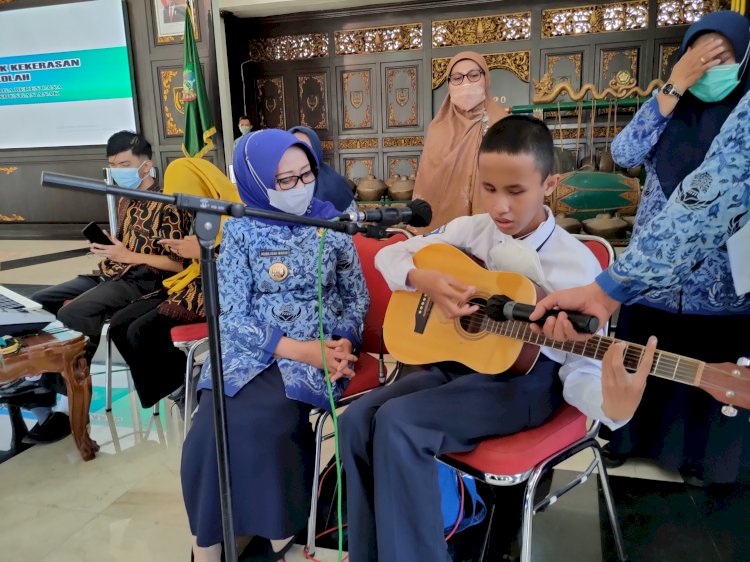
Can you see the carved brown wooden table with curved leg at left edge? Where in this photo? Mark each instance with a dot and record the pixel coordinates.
(58, 351)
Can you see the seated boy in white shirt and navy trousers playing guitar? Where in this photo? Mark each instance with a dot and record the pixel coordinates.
(390, 437)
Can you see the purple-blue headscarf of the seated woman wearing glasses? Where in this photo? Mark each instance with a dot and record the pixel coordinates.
(256, 160)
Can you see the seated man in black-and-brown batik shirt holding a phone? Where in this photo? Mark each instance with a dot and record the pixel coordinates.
(134, 265)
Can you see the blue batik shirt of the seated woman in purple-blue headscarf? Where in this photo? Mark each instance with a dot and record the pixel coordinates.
(258, 307)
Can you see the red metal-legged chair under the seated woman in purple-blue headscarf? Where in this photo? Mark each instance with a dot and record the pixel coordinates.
(370, 372)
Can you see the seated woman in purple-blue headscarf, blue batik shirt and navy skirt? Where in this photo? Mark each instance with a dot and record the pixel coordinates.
(272, 358)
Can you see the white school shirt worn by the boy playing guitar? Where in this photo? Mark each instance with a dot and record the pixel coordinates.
(566, 263)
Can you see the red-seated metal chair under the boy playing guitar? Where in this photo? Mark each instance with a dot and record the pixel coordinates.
(527, 456)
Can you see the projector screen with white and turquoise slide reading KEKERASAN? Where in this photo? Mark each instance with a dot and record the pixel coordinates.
(65, 76)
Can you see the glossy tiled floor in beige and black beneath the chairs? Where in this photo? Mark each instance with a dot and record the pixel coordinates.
(126, 505)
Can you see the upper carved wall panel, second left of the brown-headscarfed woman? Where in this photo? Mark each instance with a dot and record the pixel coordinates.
(356, 99)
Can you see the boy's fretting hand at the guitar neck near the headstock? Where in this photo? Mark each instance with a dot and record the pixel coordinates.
(621, 390)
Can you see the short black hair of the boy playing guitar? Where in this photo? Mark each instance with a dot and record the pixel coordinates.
(522, 134)
